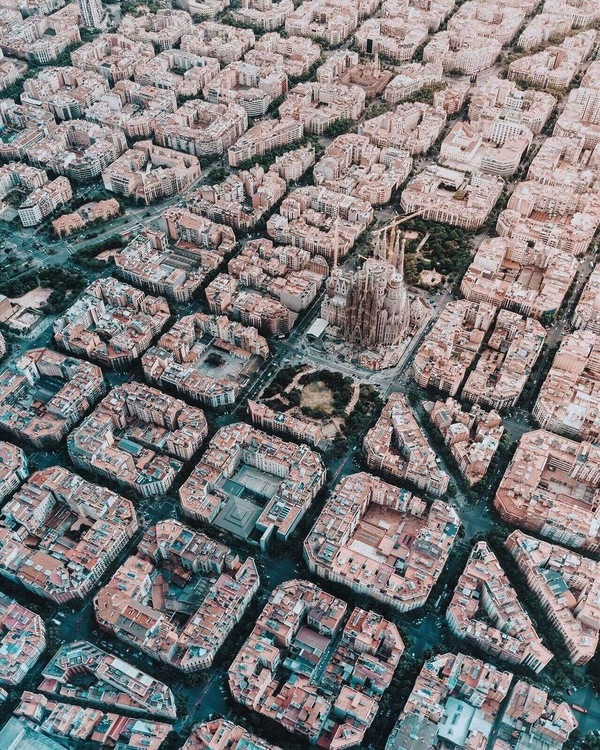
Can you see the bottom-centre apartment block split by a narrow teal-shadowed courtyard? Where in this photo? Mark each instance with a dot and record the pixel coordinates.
(298, 624)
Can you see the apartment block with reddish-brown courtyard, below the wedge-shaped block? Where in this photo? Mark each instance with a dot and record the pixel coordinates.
(363, 508)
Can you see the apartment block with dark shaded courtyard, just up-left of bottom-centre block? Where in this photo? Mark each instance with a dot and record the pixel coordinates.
(136, 604)
